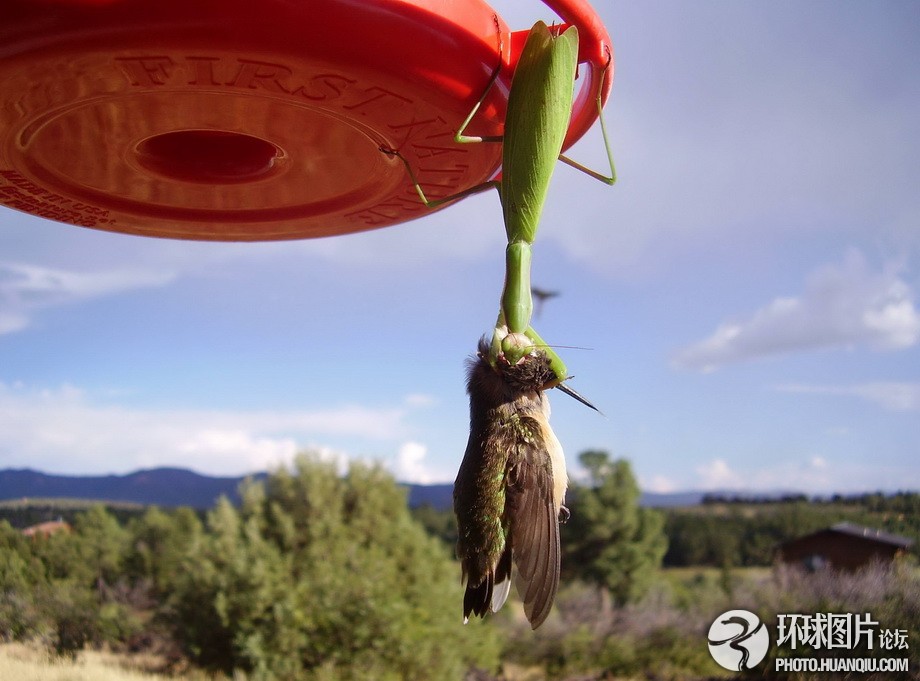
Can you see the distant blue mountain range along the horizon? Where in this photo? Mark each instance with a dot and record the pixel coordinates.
(180, 487)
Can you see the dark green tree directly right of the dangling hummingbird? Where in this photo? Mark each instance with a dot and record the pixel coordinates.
(610, 540)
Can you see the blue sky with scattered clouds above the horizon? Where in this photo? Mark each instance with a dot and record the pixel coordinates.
(746, 293)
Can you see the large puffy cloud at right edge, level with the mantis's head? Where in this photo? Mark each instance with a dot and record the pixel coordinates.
(843, 305)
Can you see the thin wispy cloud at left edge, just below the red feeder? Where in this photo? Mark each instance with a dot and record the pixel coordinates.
(26, 289)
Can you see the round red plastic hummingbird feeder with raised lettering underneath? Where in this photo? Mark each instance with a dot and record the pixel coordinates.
(234, 120)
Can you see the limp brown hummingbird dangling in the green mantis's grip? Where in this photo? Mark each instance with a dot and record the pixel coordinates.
(509, 494)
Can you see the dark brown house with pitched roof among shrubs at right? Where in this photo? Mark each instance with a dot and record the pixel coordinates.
(844, 546)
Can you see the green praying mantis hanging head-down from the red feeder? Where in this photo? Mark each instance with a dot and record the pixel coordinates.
(537, 117)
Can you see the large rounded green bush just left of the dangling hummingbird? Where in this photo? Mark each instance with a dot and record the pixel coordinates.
(323, 576)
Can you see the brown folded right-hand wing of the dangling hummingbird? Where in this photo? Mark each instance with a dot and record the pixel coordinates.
(534, 523)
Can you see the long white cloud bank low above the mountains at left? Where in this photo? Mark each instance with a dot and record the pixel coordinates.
(66, 431)
